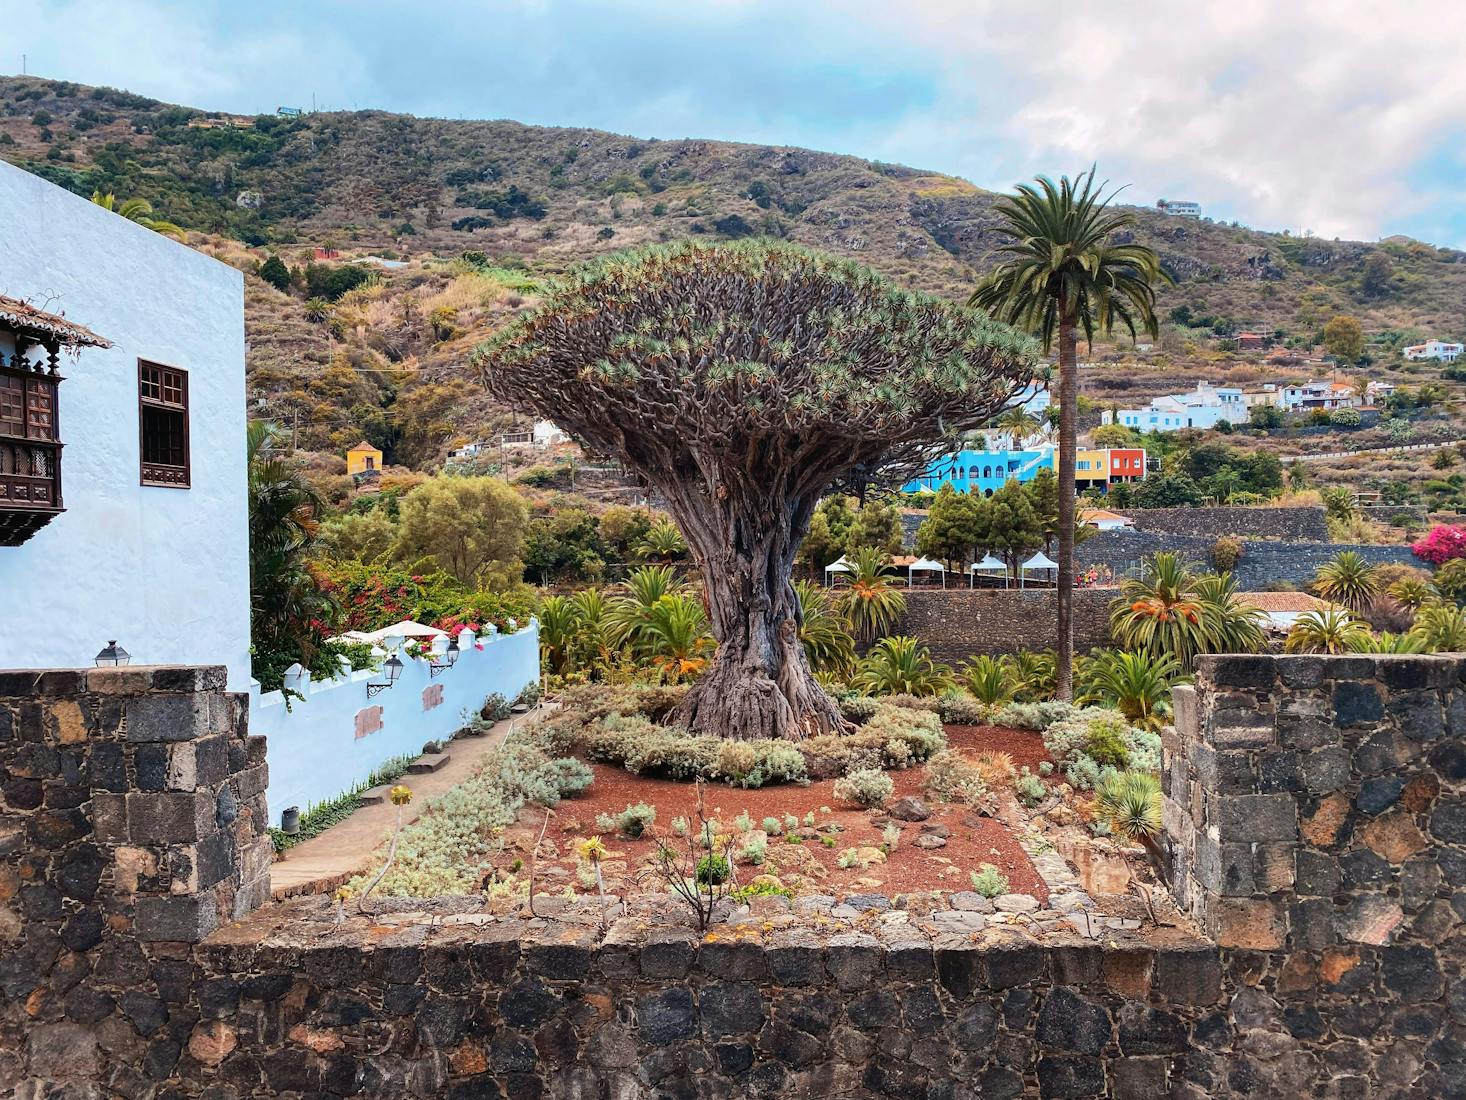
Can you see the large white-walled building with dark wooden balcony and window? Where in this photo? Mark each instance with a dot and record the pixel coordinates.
(136, 527)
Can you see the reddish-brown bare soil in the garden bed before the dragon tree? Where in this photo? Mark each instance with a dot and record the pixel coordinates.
(973, 840)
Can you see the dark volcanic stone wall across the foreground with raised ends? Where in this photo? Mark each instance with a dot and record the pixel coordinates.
(1333, 793)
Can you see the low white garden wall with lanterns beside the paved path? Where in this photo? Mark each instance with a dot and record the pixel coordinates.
(329, 741)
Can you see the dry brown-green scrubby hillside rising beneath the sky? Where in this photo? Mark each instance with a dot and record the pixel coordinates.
(548, 197)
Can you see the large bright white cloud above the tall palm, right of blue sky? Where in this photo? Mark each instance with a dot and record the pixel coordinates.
(1301, 115)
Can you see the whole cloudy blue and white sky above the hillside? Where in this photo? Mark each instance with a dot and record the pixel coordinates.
(1347, 118)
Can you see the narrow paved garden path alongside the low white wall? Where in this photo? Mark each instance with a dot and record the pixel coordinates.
(326, 862)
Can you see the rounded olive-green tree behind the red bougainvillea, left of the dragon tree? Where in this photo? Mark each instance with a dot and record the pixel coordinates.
(473, 529)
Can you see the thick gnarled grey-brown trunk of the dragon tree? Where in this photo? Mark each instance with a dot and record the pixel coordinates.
(744, 536)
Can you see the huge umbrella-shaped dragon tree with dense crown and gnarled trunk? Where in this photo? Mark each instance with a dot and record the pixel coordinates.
(741, 381)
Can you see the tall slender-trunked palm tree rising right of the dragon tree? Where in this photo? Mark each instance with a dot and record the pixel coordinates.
(1061, 275)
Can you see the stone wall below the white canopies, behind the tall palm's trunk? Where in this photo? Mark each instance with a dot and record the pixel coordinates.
(962, 623)
